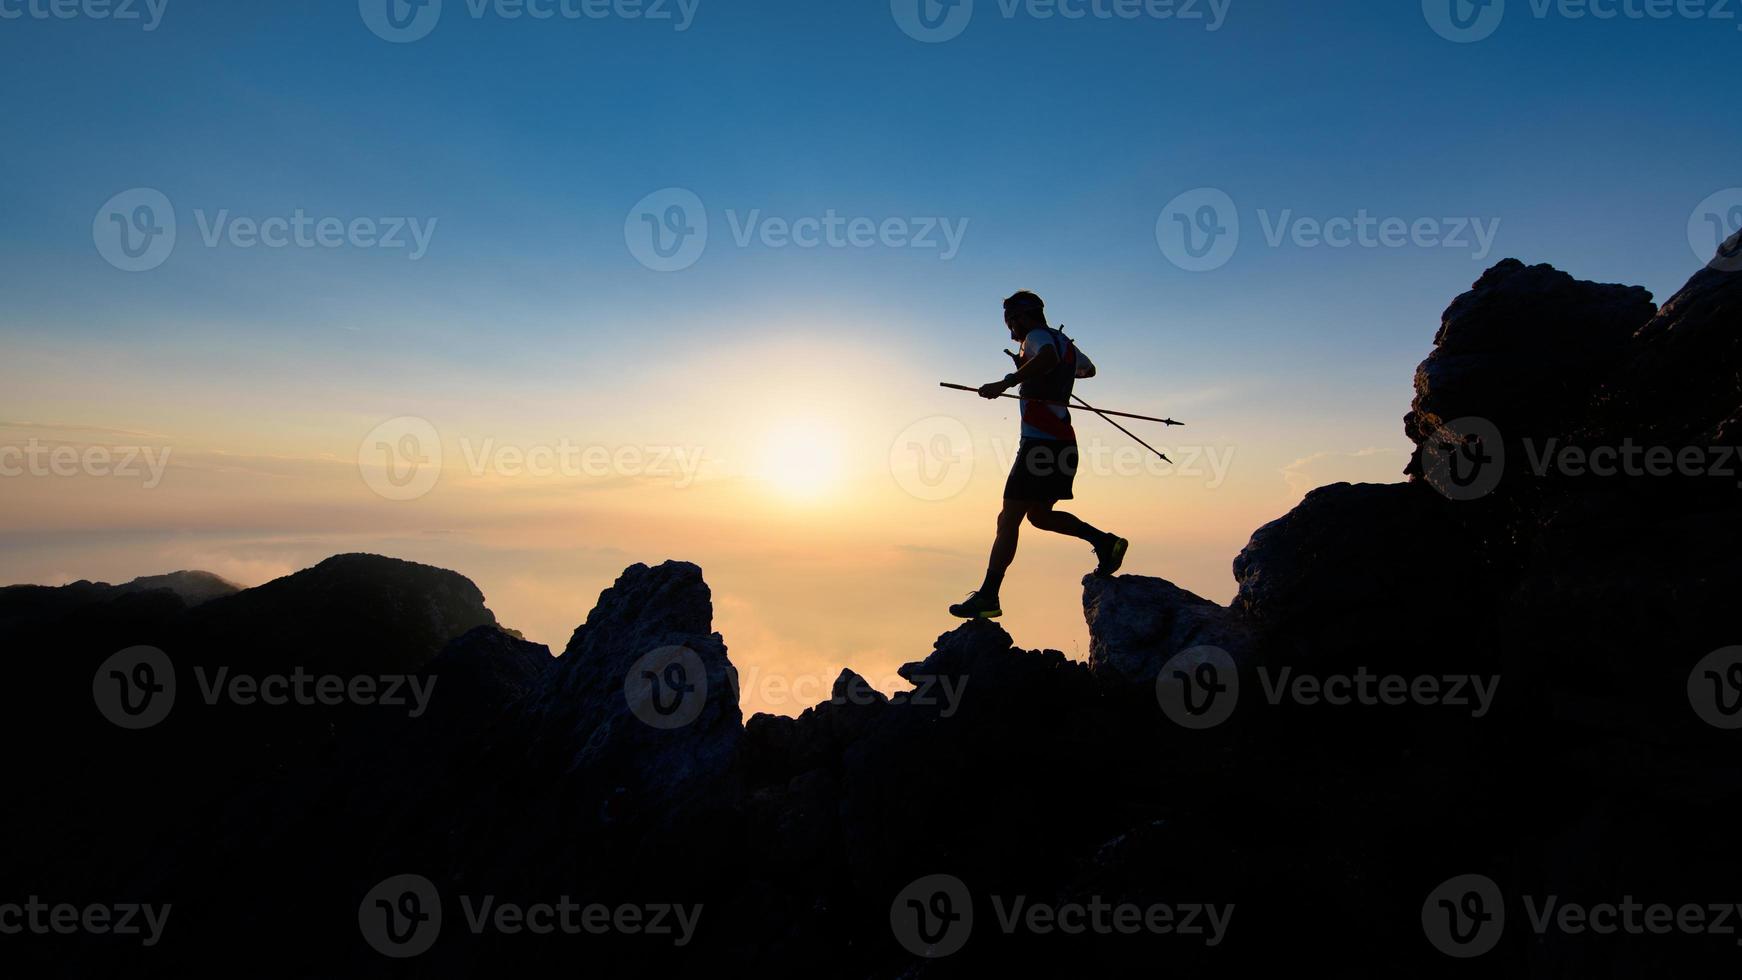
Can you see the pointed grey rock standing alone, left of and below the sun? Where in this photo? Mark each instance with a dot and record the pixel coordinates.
(633, 645)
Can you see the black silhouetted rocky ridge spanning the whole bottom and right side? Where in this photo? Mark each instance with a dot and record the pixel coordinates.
(609, 775)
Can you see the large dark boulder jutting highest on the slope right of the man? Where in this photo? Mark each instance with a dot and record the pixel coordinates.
(1527, 351)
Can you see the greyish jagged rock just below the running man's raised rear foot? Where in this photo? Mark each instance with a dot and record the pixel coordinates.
(1138, 622)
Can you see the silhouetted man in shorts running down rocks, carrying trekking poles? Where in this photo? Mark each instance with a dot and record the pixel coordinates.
(1046, 460)
